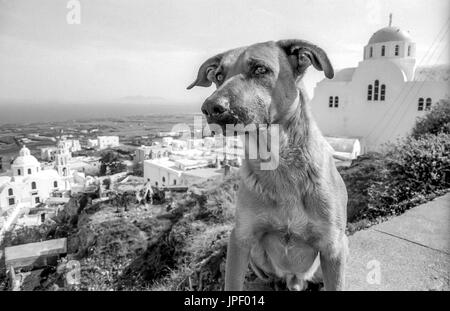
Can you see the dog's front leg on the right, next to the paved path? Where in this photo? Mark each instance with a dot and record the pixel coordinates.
(333, 266)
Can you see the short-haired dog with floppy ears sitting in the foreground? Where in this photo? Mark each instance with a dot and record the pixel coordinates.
(290, 220)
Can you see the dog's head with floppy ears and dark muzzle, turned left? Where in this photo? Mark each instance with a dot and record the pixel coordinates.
(257, 84)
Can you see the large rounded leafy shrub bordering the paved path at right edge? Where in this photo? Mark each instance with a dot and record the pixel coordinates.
(414, 169)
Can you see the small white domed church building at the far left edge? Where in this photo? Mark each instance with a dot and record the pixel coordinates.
(29, 184)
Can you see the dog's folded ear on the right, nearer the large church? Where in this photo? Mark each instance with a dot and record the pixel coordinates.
(302, 53)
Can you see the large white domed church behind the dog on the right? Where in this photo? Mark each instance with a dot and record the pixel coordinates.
(382, 97)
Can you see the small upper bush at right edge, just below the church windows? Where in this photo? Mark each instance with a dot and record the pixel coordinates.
(434, 122)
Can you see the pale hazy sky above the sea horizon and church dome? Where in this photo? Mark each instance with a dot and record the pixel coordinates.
(153, 48)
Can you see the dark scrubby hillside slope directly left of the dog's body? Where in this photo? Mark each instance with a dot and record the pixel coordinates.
(189, 254)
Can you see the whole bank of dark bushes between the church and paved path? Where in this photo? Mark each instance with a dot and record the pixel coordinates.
(411, 171)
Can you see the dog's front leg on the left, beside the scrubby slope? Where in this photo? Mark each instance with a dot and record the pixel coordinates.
(237, 264)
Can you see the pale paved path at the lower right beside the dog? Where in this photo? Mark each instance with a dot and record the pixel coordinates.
(408, 252)
